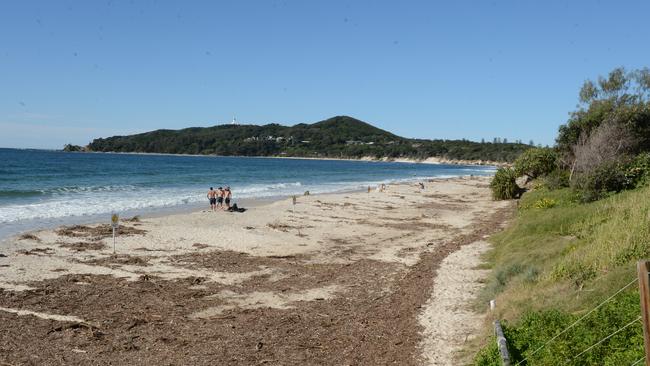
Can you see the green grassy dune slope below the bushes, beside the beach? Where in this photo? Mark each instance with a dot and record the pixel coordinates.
(556, 261)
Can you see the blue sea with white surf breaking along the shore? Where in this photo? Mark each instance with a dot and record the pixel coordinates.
(41, 188)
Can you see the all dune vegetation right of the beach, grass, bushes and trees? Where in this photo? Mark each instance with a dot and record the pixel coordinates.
(564, 271)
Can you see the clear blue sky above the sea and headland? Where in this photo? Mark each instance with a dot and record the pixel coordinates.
(72, 71)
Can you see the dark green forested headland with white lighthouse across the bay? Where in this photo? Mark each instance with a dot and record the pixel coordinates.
(337, 137)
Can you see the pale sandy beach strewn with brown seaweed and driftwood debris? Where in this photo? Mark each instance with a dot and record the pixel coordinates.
(338, 279)
